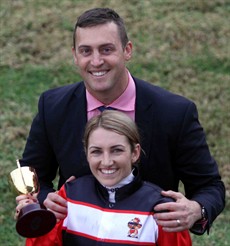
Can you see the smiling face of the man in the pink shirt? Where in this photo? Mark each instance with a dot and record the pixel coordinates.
(101, 60)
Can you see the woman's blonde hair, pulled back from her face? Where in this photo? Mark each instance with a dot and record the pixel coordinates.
(115, 121)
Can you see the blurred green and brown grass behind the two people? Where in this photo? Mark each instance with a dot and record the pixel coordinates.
(181, 45)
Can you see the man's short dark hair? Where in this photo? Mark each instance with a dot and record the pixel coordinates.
(99, 16)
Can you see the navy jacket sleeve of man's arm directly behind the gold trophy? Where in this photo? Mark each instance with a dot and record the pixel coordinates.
(38, 153)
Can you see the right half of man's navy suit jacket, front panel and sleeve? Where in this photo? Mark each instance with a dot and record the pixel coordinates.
(179, 149)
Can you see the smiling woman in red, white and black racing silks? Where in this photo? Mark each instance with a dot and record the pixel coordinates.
(113, 206)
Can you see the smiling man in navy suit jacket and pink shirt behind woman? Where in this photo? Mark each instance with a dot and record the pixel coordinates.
(172, 139)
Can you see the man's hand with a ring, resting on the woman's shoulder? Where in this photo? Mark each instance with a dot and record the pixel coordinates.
(182, 214)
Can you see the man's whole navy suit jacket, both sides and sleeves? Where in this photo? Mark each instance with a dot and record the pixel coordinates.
(172, 138)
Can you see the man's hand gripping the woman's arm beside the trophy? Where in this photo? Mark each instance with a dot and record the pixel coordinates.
(57, 204)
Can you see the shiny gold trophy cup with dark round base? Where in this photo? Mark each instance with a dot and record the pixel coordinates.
(33, 220)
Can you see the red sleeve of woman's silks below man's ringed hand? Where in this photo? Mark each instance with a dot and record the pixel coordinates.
(174, 238)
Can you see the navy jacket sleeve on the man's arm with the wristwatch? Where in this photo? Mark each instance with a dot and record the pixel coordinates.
(197, 169)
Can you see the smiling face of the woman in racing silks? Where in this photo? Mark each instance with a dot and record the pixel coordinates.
(110, 156)
